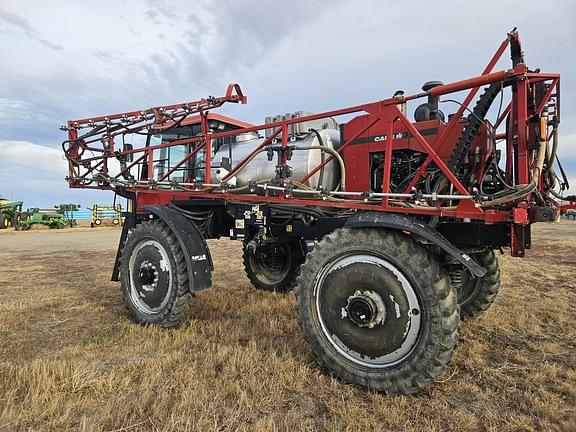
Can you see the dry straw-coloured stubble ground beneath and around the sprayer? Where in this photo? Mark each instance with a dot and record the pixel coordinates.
(71, 360)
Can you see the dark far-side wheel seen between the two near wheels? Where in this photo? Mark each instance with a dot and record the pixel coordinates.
(273, 266)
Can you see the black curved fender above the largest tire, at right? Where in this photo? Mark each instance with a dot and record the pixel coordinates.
(414, 227)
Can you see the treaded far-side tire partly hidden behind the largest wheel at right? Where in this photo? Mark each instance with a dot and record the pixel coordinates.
(476, 295)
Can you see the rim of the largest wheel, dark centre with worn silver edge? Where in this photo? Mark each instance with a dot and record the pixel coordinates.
(367, 310)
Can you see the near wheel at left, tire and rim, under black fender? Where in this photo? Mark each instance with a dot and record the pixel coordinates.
(154, 276)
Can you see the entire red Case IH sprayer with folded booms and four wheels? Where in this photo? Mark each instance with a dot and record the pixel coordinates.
(386, 227)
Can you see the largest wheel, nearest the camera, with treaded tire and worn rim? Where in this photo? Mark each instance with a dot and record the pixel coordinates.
(377, 310)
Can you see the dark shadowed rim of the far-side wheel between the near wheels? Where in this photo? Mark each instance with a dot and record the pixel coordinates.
(271, 262)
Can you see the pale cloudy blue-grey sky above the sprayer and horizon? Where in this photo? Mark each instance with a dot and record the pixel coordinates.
(65, 59)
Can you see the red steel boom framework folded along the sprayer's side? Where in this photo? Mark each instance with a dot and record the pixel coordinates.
(520, 149)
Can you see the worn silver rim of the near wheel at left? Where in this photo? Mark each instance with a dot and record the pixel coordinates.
(150, 277)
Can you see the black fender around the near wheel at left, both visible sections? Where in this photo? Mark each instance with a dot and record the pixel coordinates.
(196, 253)
